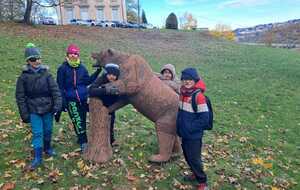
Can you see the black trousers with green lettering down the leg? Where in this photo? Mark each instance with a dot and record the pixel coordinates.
(77, 112)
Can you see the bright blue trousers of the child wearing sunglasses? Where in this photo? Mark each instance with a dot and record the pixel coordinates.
(41, 126)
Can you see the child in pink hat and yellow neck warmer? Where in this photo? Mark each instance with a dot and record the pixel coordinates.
(73, 79)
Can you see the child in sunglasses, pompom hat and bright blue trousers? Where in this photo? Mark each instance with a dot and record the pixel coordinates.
(38, 97)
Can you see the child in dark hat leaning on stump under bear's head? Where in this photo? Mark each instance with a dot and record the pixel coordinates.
(111, 74)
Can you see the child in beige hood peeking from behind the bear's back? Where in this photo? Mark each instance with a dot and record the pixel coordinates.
(168, 76)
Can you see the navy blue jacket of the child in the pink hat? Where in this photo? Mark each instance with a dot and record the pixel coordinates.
(73, 82)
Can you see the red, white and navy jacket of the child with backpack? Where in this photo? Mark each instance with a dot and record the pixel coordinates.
(189, 124)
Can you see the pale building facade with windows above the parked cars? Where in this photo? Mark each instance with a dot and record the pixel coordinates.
(112, 10)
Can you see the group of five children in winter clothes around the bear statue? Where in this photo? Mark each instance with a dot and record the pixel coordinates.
(39, 97)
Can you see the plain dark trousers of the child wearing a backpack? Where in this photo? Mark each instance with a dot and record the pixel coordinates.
(192, 154)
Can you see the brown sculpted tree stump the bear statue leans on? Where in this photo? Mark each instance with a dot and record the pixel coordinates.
(99, 148)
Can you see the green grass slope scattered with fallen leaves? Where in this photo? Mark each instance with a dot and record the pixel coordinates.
(254, 91)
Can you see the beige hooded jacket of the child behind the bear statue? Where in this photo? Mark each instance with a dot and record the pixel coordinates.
(174, 83)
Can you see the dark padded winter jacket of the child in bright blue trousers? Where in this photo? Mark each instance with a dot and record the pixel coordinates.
(37, 92)
